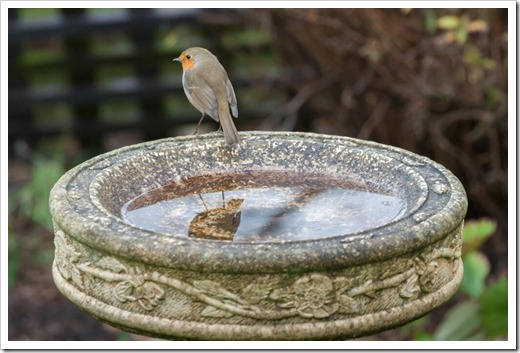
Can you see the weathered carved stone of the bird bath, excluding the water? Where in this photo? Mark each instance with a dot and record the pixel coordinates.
(171, 286)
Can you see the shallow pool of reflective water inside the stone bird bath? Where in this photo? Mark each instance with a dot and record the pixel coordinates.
(263, 206)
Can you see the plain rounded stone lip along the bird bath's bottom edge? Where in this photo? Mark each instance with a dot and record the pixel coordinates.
(345, 328)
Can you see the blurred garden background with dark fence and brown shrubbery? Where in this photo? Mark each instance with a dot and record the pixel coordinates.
(432, 81)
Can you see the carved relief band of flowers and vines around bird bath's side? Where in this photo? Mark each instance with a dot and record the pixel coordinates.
(311, 296)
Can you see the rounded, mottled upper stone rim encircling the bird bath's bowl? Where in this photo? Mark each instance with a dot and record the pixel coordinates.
(112, 235)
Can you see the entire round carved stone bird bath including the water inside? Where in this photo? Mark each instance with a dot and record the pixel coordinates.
(284, 236)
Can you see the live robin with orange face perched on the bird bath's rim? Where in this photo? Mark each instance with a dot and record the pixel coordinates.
(208, 89)
